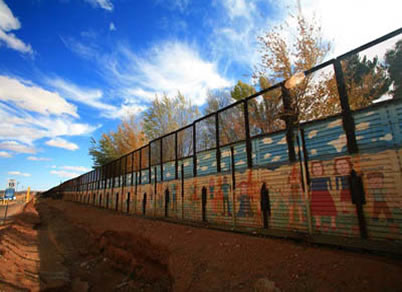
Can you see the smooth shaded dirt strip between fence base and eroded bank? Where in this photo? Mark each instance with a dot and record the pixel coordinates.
(197, 259)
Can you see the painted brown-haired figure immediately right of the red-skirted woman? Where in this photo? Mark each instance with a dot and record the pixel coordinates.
(342, 167)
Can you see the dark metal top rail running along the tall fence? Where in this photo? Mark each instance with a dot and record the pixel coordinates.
(261, 92)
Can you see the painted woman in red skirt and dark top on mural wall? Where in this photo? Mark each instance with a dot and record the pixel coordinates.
(322, 203)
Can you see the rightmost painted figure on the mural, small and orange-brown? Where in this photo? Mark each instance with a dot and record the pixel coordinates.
(376, 186)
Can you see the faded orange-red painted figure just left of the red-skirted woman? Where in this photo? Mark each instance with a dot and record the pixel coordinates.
(295, 202)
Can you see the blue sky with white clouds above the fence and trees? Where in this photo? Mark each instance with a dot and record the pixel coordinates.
(72, 69)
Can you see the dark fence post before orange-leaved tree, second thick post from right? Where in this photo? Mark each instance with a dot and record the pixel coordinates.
(289, 120)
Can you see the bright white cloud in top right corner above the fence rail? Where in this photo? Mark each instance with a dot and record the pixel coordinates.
(362, 21)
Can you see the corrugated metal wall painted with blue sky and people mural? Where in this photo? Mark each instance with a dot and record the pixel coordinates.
(317, 183)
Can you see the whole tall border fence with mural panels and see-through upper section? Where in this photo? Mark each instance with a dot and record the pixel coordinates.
(318, 154)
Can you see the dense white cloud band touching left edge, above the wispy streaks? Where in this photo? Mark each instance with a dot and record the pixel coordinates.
(29, 97)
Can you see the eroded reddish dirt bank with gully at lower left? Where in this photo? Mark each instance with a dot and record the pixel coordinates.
(43, 250)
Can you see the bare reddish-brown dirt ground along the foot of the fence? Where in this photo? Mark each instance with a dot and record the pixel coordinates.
(63, 246)
